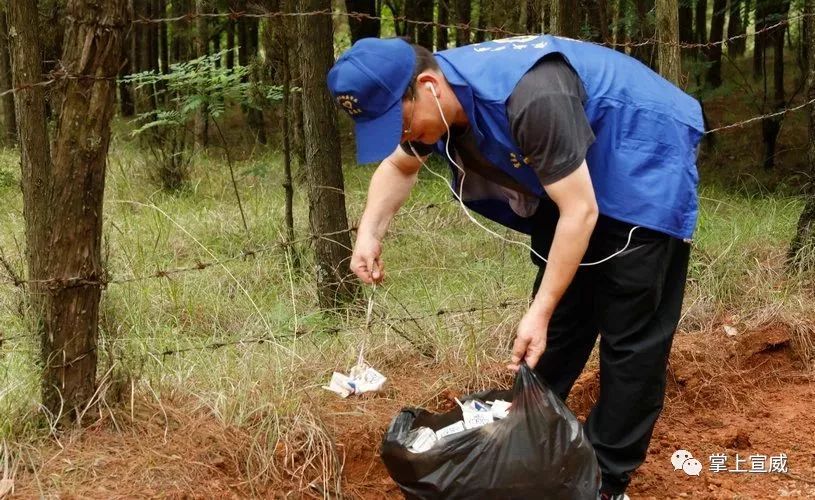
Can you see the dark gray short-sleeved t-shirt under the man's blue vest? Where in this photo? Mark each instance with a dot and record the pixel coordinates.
(547, 121)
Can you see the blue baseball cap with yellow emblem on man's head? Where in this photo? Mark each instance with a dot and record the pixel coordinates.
(368, 81)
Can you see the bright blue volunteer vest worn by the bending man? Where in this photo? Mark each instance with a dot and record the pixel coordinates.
(643, 161)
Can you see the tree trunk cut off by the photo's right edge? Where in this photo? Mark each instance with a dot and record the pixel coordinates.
(802, 249)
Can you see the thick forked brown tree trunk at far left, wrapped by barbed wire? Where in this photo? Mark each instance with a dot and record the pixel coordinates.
(63, 192)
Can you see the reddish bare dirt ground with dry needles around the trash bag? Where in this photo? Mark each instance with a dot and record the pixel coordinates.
(744, 394)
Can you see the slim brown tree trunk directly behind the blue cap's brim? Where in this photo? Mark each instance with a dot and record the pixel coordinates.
(327, 213)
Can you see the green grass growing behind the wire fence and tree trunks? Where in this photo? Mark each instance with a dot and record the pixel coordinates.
(436, 259)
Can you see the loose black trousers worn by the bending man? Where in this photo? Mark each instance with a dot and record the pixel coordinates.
(633, 302)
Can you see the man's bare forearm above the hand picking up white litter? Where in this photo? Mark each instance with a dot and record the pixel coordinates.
(387, 192)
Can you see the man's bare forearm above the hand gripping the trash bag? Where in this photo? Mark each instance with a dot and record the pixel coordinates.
(568, 247)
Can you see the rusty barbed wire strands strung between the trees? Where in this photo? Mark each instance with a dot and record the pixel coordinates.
(10, 276)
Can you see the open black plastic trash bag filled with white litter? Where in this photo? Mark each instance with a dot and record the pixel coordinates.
(539, 451)
